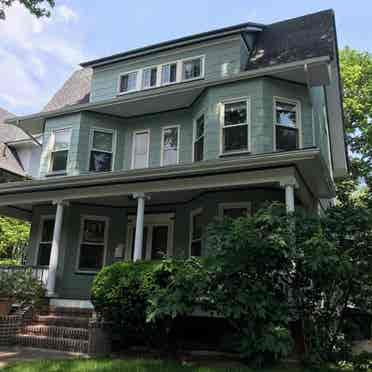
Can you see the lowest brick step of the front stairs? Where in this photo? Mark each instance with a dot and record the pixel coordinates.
(56, 343)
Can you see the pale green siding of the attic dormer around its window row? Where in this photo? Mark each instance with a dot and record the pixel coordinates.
(222, 59)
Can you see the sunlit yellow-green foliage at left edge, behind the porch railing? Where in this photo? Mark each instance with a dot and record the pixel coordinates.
(14, 235)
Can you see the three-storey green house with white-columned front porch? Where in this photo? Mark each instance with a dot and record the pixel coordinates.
(150, 145)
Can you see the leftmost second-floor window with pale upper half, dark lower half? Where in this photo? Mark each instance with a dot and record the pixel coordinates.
(61, 146)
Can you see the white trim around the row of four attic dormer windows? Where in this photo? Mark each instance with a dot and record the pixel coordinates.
(179, 78)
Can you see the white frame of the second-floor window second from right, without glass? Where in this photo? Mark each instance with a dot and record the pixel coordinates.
(222, 125)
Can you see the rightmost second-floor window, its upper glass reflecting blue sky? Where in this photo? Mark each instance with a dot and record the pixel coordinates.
(286, 124)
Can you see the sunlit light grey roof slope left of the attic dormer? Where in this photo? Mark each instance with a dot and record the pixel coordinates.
(75, 90)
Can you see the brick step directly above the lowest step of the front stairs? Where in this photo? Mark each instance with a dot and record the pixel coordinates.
(55, 331)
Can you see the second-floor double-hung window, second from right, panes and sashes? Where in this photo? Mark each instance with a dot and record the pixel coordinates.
(235, 129)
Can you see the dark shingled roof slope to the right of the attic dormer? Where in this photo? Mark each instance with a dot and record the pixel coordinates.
(309, 36)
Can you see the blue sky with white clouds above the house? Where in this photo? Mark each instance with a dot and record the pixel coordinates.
(36, 56)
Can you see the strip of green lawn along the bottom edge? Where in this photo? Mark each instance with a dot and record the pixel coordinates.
(128, 366)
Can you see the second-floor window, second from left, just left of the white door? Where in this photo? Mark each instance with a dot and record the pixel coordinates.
(102, 150)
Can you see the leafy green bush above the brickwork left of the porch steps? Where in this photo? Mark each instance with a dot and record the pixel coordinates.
(22, 287)
